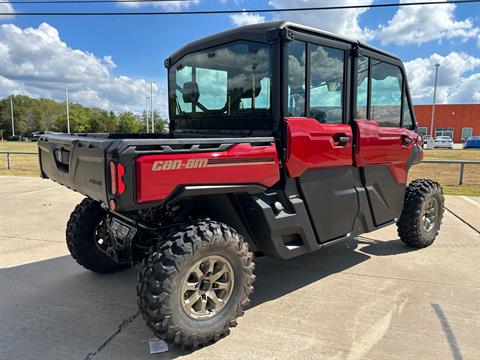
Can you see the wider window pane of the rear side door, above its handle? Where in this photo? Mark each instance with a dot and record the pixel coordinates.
(326, 84)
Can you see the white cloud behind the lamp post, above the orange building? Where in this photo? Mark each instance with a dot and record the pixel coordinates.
(454, 82)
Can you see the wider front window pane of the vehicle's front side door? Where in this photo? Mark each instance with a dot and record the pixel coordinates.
(386, 94)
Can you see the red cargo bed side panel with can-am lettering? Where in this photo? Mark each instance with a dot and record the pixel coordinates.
(158, 175)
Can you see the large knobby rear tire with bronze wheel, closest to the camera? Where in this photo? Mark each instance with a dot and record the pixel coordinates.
(173, 268)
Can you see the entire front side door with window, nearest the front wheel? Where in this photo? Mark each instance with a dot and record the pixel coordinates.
(385, 138)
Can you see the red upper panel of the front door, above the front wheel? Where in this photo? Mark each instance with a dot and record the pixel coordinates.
(384, 145)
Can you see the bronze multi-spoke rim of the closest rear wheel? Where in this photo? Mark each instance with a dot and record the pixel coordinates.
(207, 287)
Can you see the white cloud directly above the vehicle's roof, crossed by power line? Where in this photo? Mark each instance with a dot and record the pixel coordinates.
(344, 22)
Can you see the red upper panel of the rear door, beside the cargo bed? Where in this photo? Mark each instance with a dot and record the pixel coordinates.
(311, 145)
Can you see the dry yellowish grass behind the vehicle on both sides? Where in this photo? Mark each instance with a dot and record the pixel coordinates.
(446, 174)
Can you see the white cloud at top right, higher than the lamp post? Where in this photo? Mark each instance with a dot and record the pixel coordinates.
(423, 23)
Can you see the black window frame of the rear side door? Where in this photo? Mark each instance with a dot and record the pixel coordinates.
(347, 81)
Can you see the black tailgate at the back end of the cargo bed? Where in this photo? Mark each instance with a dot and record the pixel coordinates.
(77, 162)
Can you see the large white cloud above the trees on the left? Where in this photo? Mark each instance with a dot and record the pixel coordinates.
(36, 62)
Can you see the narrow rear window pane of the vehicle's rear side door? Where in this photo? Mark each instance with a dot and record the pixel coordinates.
(296, 78)
